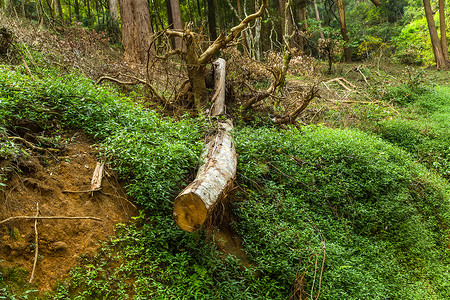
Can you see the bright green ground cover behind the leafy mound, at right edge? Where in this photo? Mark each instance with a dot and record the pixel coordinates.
(424, 128)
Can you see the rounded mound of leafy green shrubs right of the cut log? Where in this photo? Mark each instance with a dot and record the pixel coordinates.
(381, 216)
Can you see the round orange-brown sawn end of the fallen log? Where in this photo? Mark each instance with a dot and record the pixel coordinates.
(189, 212)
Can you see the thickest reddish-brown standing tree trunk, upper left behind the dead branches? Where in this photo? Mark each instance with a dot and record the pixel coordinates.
(136, 29)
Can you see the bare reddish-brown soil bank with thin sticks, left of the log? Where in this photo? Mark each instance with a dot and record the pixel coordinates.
(41, 179)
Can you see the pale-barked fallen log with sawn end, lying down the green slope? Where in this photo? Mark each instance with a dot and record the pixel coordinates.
(215, 176)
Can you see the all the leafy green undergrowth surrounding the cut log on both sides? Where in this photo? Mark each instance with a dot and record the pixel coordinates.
(335, 213)
